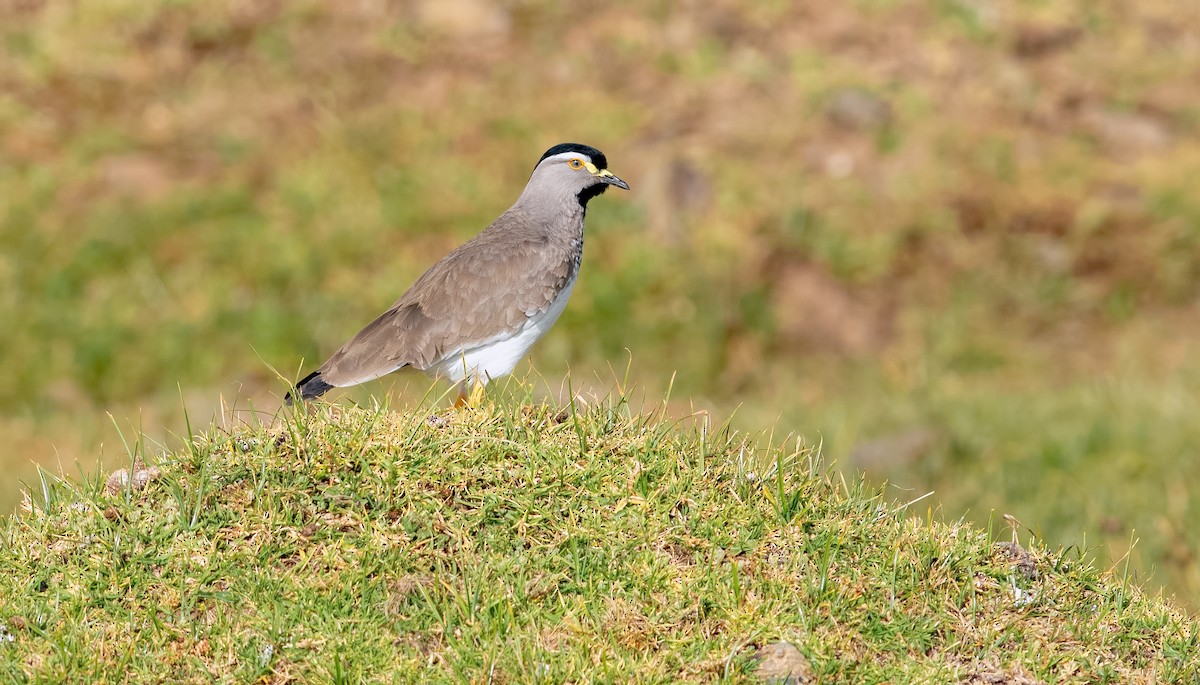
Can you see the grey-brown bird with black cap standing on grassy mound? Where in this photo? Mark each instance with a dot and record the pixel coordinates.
(476, 314)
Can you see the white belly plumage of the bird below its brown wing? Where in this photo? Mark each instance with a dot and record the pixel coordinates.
(500, 356)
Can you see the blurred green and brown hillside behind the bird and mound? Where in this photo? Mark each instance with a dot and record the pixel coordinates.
(957, 243)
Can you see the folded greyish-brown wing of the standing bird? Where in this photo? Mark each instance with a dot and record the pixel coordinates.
(485, 289)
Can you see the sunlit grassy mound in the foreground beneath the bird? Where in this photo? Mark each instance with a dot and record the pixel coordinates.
(538, 545)
